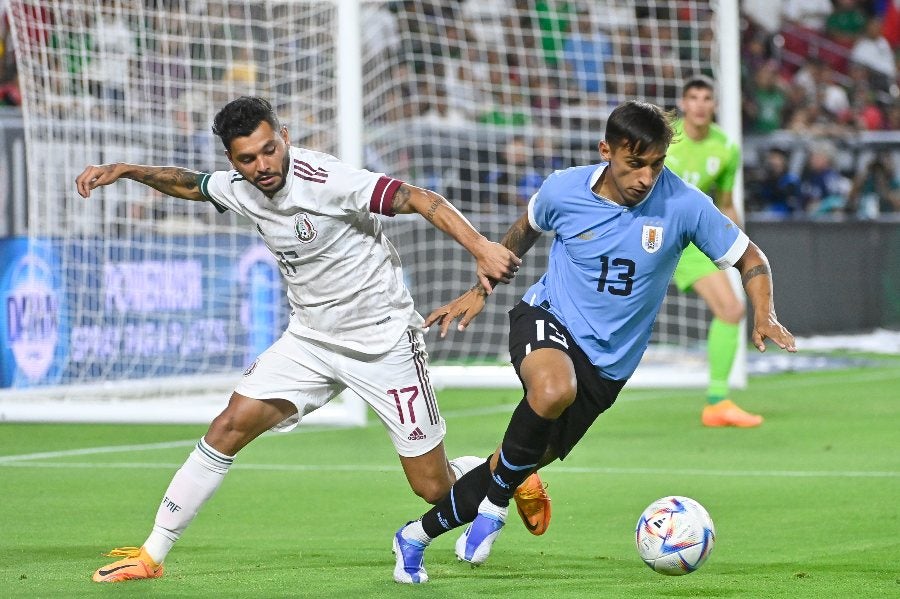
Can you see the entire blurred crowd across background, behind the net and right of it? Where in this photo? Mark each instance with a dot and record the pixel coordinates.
(814, 69)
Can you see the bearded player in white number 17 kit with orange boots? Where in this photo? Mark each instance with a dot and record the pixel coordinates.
(352, 325)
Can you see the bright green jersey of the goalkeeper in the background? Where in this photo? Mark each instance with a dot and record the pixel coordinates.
(710, 164)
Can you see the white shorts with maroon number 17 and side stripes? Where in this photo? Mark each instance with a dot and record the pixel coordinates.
(395, 384)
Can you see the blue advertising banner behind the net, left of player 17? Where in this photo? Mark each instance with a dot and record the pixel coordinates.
(97, 310)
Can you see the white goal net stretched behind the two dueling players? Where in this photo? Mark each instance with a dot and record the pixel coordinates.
(131, 294)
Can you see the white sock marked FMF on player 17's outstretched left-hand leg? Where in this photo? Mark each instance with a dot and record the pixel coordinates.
(193, 484)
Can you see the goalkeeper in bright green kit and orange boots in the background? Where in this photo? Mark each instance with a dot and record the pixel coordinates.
(704, 156)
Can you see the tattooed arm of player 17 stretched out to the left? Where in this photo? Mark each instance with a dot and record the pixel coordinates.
(171, 180)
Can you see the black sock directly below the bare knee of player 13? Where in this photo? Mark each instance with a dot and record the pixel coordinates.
(524, 443)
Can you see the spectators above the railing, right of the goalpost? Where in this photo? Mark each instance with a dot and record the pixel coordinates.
(821, 67)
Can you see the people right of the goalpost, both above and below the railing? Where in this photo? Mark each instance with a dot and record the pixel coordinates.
(818, 77)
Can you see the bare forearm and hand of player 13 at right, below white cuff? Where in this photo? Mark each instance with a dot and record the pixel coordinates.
(757, 280)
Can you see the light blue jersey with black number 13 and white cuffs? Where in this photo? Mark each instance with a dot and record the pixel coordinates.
(610, 265)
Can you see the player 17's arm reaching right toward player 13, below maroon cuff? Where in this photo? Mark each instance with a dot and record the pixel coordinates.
(495, 263)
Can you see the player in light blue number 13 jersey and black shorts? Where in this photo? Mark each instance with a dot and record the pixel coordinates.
(579, 332)
